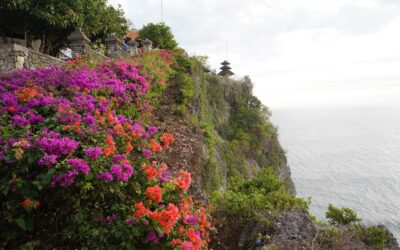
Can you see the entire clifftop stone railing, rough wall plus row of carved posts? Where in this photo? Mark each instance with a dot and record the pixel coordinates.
(14, 56)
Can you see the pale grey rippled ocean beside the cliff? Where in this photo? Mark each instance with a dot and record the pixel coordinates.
(347, 156)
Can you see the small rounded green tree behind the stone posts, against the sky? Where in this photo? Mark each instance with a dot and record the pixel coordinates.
(160, 34)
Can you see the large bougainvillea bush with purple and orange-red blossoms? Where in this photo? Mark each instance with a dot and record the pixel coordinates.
(80, 168)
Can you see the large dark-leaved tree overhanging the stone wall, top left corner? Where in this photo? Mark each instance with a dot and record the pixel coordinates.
(52, 21)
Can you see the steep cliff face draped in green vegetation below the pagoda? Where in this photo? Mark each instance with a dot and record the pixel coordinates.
(218, 107)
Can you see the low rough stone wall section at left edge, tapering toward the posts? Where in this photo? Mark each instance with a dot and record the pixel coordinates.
(14, 56)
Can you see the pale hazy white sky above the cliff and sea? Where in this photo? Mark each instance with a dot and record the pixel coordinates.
(297, 52)
